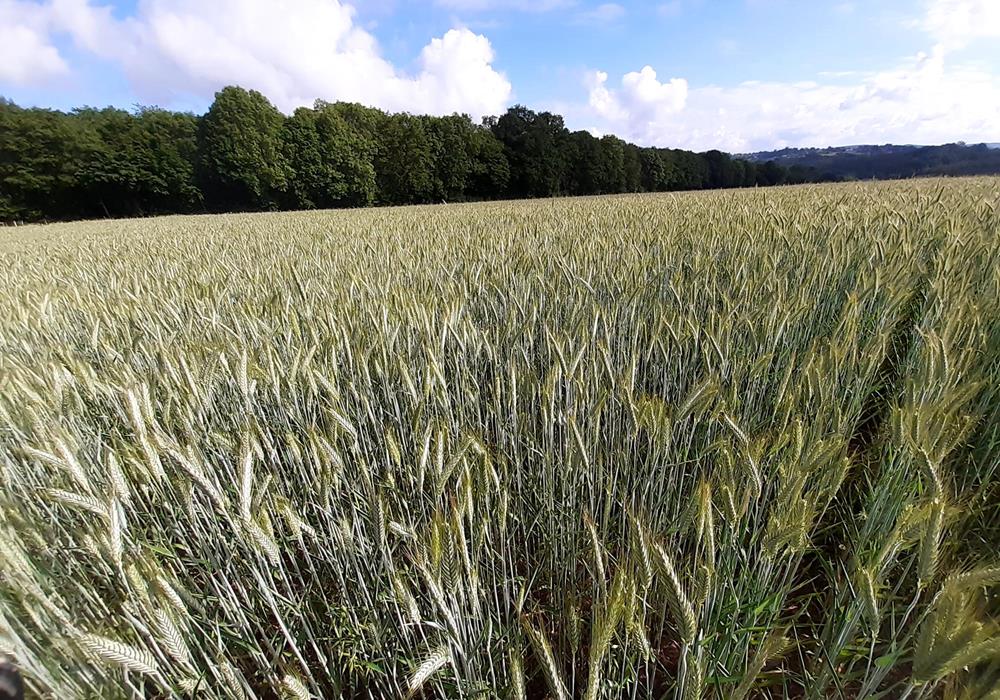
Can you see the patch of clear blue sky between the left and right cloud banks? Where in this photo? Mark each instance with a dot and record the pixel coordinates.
(722, 41)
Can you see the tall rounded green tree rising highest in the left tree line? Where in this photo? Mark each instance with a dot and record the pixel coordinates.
(241, 151)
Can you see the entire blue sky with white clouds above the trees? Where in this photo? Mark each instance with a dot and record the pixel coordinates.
(737, 75)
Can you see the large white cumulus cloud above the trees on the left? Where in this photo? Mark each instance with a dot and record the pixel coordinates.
(294, 52)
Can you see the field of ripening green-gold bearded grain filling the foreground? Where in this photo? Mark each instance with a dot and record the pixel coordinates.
(714, 445)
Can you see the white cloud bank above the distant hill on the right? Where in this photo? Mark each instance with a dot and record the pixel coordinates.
(932, 97)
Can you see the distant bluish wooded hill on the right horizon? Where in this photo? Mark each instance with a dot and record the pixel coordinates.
(887, 161)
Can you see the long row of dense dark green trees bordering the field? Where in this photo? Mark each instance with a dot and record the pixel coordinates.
(245, 155)
